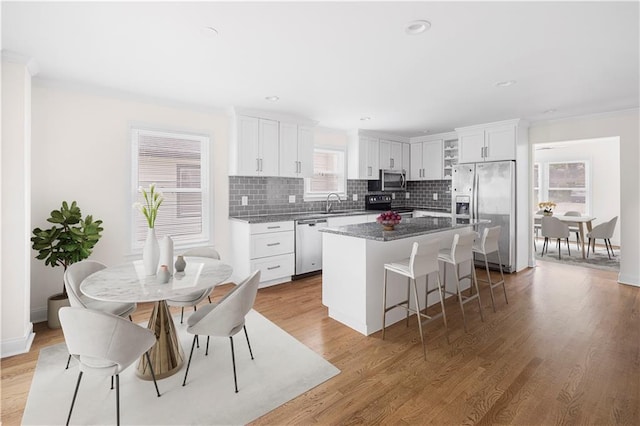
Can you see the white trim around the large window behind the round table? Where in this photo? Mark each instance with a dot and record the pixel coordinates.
(205, 185)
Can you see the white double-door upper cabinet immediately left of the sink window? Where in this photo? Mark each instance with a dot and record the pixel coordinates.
(296, 150)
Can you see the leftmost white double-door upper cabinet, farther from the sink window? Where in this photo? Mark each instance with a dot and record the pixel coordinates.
(255, 147)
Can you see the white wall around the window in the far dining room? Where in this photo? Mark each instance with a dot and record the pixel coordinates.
(603, 156)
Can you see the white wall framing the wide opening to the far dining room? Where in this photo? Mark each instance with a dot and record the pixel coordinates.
(626, 126)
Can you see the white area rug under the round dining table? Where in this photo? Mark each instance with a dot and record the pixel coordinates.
(283, 368)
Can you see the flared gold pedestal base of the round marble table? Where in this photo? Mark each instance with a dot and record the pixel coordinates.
(166, 355)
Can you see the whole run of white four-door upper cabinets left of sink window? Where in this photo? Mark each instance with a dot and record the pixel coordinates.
(266, 144)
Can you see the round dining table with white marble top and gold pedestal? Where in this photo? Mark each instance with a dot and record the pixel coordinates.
(128, 282)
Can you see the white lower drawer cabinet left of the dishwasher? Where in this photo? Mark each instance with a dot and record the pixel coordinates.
(269, 247)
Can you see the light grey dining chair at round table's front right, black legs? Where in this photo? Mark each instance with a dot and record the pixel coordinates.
(225, 318)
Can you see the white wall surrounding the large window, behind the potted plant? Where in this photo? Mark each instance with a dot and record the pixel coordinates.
(81, 152)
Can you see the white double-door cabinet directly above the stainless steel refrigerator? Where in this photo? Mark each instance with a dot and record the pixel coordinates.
(495, 142)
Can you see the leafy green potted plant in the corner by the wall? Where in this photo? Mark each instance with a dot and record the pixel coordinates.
(70, 240)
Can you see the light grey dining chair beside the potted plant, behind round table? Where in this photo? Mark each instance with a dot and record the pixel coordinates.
(73, 277)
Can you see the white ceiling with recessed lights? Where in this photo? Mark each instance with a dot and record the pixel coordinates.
(337, 62)
